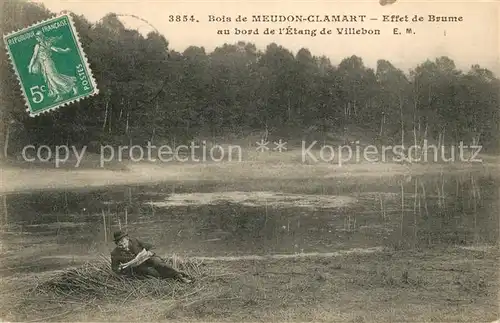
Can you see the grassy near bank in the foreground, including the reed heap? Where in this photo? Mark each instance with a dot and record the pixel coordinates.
(438, 285)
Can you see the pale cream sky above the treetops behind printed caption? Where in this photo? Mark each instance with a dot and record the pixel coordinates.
(475, 40)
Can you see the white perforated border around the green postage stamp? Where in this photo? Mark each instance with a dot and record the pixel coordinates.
(80, 50)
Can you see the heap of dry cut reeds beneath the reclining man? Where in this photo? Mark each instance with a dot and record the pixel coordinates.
(94, 285)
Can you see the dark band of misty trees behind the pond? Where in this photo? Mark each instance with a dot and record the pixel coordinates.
(150, 92)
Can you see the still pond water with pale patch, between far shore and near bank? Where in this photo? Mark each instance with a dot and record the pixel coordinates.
(49, 230)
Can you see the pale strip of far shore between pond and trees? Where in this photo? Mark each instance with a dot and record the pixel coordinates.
(21, 179)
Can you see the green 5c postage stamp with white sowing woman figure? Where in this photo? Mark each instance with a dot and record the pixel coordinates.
(50, 64)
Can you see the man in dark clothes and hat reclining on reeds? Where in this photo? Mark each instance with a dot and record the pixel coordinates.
(129, 248)
